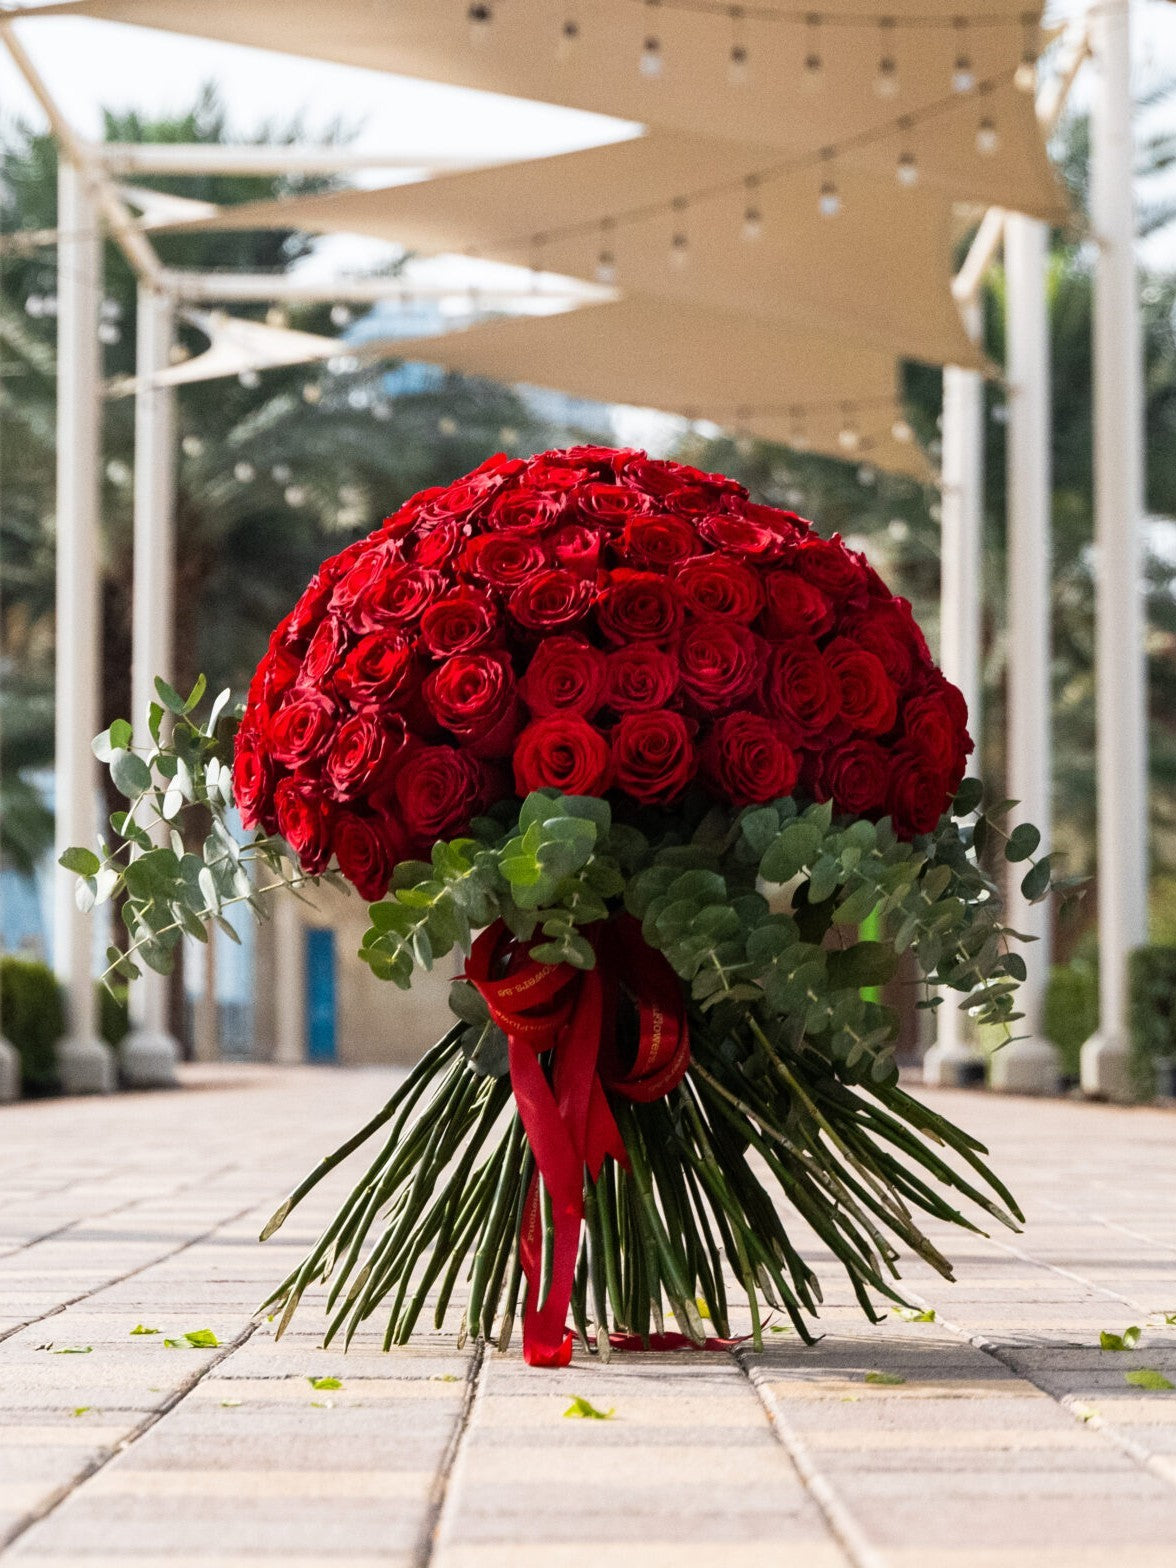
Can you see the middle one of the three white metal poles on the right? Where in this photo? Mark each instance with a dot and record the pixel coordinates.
(1029, 1065)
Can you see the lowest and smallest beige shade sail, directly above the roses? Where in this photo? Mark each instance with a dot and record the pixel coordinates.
(757, 379)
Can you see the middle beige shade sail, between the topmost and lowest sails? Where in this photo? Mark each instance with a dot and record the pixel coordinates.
(689, 220)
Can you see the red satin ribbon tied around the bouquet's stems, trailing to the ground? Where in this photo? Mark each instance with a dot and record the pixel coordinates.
(568, 1122)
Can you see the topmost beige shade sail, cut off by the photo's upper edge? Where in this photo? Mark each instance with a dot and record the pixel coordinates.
(779, 100)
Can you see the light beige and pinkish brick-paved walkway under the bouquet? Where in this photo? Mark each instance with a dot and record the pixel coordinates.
(1001, 1439)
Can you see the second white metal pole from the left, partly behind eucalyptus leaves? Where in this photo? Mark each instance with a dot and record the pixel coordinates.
(150, 1053)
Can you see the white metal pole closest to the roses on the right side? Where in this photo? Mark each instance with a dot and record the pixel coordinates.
(953, 1059)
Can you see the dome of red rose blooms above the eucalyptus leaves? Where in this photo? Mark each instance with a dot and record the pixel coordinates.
(600, 623)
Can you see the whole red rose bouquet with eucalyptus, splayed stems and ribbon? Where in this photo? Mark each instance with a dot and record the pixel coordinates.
(692, 775)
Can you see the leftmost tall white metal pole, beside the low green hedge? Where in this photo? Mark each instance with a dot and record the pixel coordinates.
(85, 1062)
